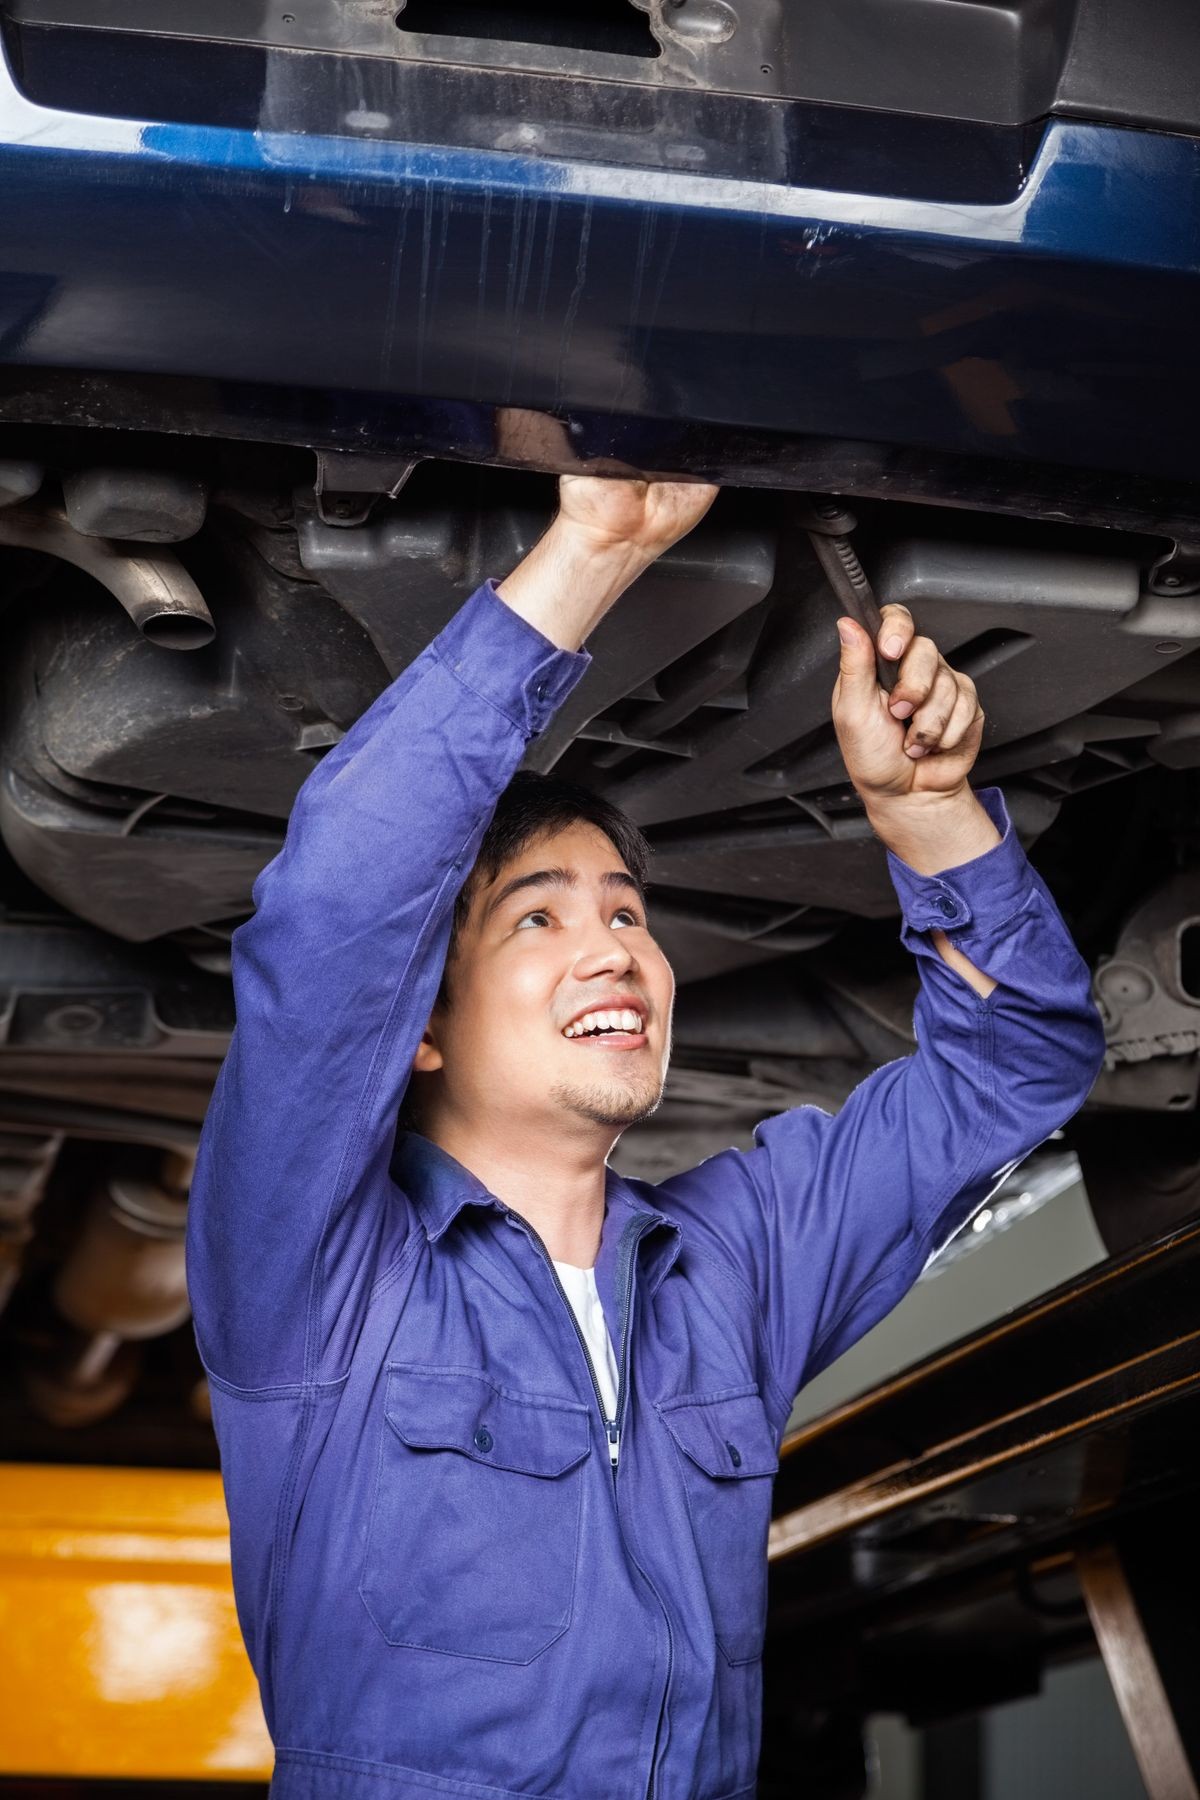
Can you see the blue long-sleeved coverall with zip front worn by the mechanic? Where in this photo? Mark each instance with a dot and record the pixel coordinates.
(443, 1587)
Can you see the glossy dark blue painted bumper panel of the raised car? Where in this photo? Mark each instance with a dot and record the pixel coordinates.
(1055, 327)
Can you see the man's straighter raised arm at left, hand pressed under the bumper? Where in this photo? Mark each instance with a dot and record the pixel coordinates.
(337, 973)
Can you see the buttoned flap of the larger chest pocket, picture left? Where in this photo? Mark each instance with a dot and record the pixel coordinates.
(458, 1410)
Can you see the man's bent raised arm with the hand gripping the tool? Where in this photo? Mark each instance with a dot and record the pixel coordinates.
(834, 1218)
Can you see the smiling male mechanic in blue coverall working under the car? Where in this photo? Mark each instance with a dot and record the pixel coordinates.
(499, 1426)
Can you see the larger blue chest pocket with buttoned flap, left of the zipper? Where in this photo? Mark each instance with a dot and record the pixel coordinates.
(474, 1529)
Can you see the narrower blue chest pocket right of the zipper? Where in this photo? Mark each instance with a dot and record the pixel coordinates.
(730, 1457)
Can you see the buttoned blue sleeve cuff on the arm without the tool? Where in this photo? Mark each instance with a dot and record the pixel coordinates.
(506, 661)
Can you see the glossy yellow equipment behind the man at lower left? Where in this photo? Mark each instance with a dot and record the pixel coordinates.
(120, 1646)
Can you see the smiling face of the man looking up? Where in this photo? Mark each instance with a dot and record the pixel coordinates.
(550, 966)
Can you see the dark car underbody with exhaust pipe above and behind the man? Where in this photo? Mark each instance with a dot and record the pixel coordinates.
(190, 625)
